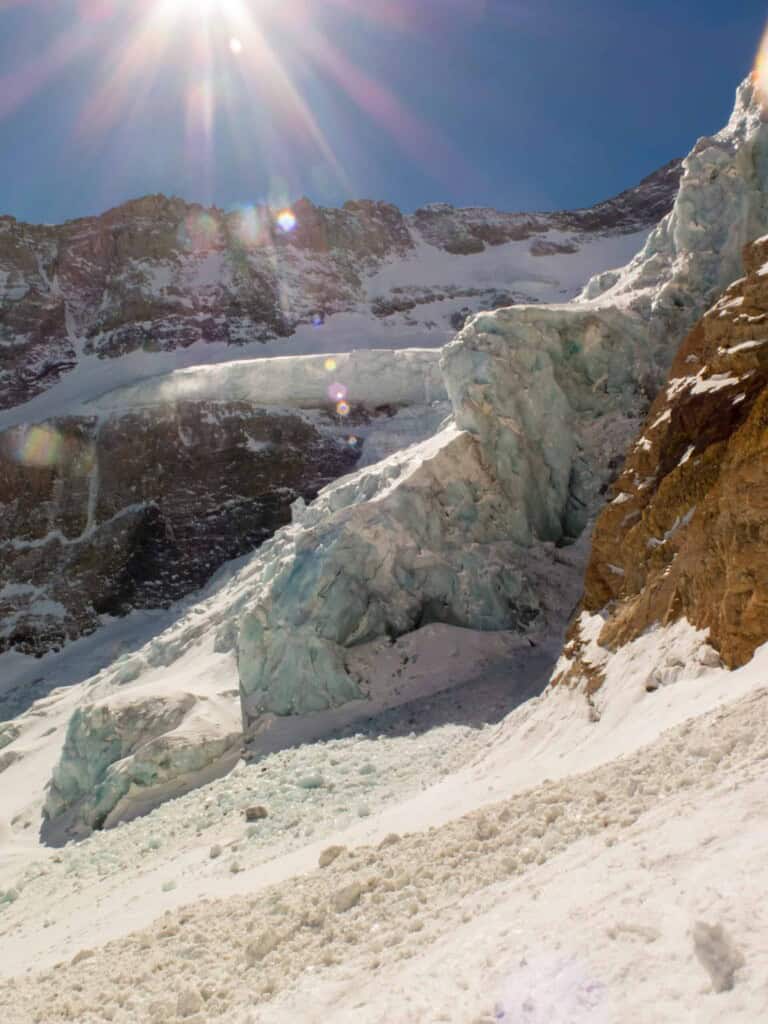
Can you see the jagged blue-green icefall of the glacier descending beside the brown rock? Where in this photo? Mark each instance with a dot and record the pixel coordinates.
(483, 527)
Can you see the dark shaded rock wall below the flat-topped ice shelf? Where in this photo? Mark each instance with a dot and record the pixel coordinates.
(103, 516)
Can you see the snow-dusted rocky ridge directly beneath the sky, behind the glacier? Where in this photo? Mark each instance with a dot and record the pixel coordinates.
(159, 275)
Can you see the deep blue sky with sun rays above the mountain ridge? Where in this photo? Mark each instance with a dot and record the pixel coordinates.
(539, 105)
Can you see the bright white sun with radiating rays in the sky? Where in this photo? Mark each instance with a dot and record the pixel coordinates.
(220, 53)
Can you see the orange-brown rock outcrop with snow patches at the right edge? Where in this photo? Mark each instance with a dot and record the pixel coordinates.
(687, 535)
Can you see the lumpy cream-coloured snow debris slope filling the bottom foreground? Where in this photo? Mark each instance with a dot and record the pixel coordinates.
(465, 897)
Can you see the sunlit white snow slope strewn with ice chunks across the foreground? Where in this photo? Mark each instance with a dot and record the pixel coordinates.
(546, 869)
